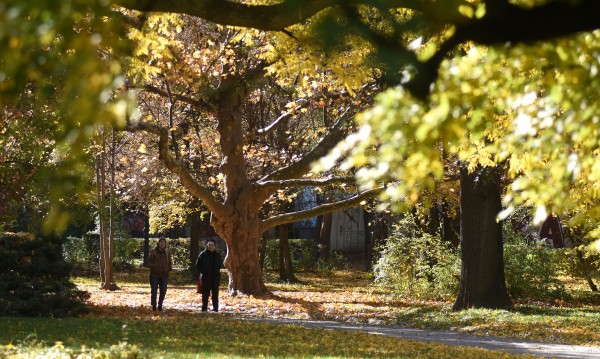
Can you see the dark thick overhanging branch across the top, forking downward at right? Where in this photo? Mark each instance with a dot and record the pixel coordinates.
(502, 23)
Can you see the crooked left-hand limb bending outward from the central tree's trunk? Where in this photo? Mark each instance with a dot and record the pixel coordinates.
(178, 168)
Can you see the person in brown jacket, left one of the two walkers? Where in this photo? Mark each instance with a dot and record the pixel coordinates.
(159, 262)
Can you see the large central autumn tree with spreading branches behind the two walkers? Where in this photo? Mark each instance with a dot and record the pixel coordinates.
(232, 138)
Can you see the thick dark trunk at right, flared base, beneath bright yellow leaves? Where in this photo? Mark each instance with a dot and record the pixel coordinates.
(482, 282)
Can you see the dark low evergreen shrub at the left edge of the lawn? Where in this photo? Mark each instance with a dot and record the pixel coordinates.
(35, 278)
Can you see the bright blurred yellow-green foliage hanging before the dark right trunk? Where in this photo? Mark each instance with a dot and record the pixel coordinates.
(492, 107)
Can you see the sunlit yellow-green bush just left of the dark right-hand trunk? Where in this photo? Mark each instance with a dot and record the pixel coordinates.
(416, 264)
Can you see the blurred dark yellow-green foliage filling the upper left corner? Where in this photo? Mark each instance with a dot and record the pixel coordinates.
(46, 49)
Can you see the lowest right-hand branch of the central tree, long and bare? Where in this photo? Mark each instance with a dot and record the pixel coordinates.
(318, 210)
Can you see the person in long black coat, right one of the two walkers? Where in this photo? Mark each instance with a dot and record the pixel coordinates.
(209, 266)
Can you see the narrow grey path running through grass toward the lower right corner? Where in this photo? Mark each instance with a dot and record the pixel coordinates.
(514, 346)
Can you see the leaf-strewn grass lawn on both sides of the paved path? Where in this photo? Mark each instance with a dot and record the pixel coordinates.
(121, 324)
